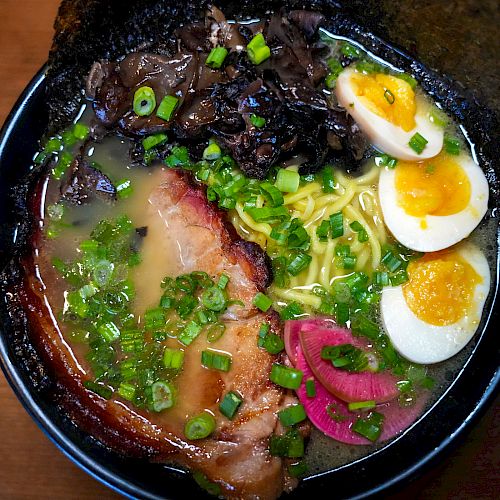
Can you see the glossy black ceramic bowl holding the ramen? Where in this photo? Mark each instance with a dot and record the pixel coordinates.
(455, 411)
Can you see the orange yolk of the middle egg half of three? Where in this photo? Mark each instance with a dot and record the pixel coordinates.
(438, 186)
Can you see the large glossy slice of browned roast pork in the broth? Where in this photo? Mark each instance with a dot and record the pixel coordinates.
(236, 456)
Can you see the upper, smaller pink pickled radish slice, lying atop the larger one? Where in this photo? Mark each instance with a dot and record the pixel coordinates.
(348, 386)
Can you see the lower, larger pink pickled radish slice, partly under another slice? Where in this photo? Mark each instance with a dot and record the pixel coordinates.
(332, 416)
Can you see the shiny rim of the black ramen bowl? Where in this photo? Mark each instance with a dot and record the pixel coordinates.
(131, 490)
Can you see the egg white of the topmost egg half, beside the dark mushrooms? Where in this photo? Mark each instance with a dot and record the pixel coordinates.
(383, 134)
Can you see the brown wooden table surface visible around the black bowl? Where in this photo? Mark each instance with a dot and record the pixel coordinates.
(32, 467)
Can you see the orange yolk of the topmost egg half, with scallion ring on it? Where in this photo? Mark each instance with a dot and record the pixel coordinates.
(388, 97)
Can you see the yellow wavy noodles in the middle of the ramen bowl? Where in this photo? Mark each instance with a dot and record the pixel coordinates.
(357, 199)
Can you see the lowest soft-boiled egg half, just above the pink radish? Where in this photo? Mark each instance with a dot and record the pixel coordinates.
(436, 313)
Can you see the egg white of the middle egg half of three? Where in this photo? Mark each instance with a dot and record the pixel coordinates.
(440, 231)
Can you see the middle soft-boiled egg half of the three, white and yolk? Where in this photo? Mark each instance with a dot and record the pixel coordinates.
(433, 204)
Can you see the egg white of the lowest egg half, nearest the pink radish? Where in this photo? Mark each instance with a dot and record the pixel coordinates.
(421, 342)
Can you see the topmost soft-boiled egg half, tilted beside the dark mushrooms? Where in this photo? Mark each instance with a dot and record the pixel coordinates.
(389, 113)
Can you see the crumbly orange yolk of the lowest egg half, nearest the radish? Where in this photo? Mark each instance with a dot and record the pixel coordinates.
(441, 285)
